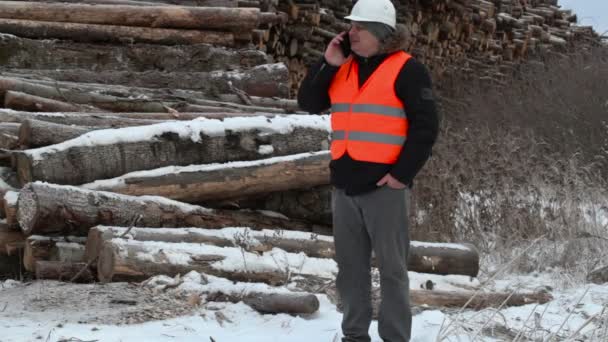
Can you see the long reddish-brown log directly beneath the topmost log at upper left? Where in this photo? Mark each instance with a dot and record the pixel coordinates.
(91, 33)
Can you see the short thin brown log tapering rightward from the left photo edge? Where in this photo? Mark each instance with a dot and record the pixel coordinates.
(31, 103)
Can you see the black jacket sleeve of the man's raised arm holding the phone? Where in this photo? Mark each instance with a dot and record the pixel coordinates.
(313, 95)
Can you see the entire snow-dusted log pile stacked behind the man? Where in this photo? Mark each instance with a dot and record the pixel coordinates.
(147, 129)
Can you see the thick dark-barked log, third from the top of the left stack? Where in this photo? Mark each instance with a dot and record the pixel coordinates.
(22, 52)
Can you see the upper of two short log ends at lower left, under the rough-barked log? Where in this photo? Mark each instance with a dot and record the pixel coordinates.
(43, 248)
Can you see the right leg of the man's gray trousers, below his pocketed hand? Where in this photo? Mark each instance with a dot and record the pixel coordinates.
(385, 213)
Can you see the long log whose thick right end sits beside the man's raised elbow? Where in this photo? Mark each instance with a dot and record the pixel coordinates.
(268, 80)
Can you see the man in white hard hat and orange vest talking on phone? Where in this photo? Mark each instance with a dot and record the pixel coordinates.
(384, 124)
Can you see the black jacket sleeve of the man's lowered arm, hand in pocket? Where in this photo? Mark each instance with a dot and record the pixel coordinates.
(413, 86)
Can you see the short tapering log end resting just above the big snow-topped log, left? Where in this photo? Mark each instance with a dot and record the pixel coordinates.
(36, 133)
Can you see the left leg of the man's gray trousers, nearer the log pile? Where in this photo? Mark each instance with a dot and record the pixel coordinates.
(353, 253)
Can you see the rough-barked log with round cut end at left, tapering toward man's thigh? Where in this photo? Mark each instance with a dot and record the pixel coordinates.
(47, 208)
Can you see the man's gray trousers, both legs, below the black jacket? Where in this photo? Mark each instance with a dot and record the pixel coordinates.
(376, 220)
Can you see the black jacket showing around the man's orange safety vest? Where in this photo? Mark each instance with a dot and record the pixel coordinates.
(413, 87)
